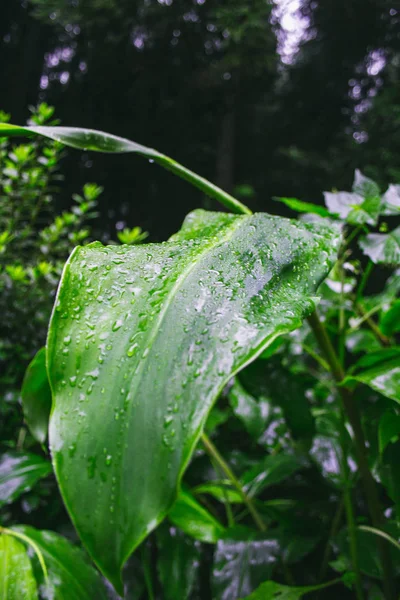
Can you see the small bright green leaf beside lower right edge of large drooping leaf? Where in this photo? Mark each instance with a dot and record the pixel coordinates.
(194, 520)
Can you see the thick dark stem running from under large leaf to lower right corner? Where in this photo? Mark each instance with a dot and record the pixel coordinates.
(353, 415)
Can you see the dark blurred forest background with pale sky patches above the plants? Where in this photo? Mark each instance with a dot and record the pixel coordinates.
(283, 98)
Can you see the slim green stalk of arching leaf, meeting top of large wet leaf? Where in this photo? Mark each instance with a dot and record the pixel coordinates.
(205, 186)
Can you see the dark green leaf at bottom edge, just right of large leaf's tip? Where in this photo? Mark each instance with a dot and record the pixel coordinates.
(177, 564)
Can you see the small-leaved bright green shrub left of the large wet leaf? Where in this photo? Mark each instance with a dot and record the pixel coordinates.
(35, 240)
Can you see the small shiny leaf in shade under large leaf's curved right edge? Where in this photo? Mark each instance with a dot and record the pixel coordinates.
(251, 412)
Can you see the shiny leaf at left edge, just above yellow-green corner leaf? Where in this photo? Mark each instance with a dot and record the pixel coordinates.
(19, 472)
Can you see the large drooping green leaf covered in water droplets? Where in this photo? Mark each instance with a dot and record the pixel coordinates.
(142, 341)
